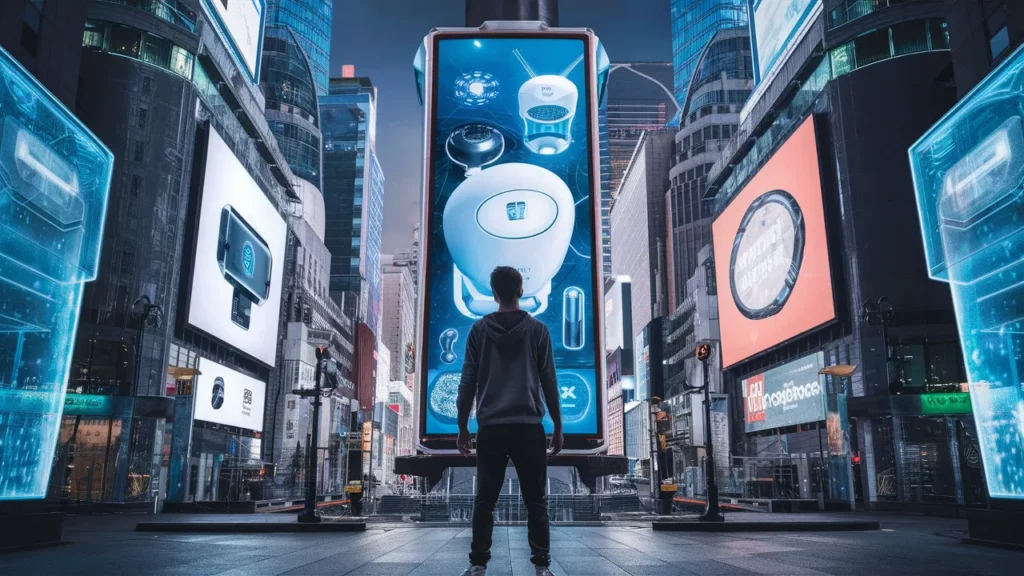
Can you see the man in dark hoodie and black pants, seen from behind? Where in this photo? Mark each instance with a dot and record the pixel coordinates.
(509, 371)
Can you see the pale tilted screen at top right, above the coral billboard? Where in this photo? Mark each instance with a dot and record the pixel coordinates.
(777, 25)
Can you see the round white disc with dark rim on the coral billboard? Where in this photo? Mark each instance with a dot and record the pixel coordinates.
(766, 255)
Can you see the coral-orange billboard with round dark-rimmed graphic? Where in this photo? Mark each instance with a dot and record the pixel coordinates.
(778, 282)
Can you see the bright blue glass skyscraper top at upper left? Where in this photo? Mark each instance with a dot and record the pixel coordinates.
(311, 21)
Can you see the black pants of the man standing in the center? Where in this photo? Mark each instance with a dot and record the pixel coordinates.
(527, 446)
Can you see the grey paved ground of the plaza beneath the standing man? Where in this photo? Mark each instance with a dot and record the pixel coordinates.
(908, 545)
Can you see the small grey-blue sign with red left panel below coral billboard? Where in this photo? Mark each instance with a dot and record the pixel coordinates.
(792, 394)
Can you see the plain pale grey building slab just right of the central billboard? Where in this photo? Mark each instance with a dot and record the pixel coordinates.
(638, 224)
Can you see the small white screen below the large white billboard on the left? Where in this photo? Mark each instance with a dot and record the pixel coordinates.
(228, 397)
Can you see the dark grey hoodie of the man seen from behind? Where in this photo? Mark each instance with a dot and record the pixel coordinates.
(509, 369)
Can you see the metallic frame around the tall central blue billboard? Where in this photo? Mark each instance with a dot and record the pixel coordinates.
(575, 444)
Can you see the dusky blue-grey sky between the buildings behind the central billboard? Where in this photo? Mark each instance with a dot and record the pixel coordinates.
(380, 37)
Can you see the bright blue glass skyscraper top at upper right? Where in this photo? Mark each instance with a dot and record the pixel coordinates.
(694, 25)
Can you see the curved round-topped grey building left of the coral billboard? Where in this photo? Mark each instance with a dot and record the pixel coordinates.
(719, 87)
